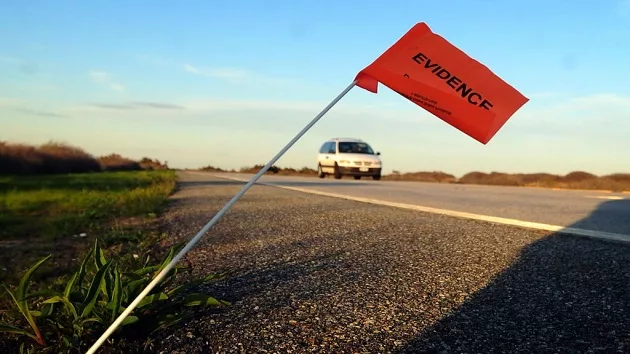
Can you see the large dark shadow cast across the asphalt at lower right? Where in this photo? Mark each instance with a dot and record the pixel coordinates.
(563, 294)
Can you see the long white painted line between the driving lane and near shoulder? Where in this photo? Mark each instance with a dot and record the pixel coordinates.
(600, 235)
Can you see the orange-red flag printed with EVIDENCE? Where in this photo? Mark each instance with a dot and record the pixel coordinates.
(437, 76)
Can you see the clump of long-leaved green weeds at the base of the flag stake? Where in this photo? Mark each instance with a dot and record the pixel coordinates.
(93, 298)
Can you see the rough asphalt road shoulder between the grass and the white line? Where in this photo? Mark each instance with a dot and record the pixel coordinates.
(313, 274)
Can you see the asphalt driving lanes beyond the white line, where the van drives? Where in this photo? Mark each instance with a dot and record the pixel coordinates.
(591, 210)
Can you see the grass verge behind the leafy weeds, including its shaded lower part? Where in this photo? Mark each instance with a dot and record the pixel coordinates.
(43, 214)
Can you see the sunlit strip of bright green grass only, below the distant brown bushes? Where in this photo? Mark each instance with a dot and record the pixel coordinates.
(63, 205)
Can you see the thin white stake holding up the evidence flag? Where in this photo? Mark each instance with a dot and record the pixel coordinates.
(213, 221)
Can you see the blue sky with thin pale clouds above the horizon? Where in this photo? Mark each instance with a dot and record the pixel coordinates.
(230, 83)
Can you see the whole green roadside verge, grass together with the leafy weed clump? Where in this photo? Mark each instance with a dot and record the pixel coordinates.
(39, 218)
